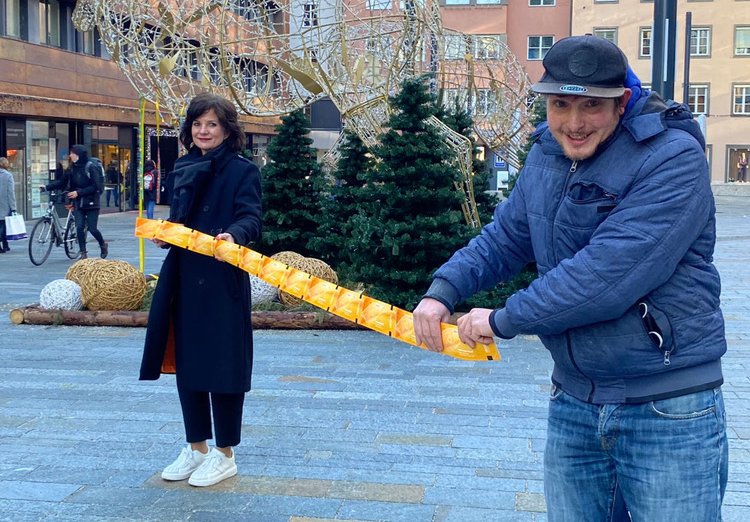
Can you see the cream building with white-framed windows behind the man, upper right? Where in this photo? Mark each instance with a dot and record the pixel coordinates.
(718, 83)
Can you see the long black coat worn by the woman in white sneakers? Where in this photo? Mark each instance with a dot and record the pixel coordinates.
(207, 301)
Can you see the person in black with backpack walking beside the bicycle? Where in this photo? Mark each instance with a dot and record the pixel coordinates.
(84, 193)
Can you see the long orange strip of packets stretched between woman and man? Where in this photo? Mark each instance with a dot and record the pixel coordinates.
(353, 306)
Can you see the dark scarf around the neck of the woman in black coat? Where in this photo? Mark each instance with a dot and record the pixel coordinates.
(192, 173)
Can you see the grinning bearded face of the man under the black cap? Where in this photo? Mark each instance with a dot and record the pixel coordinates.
(580, 123)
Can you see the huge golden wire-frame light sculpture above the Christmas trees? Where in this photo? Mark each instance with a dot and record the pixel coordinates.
(275, 56)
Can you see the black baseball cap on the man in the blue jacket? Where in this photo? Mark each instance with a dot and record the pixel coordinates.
(583, 66)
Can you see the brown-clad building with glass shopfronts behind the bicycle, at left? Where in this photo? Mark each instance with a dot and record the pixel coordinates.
(59, 87)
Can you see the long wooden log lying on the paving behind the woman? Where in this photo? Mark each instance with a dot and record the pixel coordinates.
(262, 320)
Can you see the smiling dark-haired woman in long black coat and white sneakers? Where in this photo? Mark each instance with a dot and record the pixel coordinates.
(200, 312)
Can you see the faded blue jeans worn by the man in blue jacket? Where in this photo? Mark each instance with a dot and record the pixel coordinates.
(668, 459)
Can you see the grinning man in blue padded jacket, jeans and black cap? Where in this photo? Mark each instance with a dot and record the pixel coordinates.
(614, 205)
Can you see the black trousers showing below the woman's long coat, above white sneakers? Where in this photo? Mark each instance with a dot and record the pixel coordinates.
(197, 407)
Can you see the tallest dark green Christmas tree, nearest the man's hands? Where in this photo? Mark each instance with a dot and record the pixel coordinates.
(411, 220)
